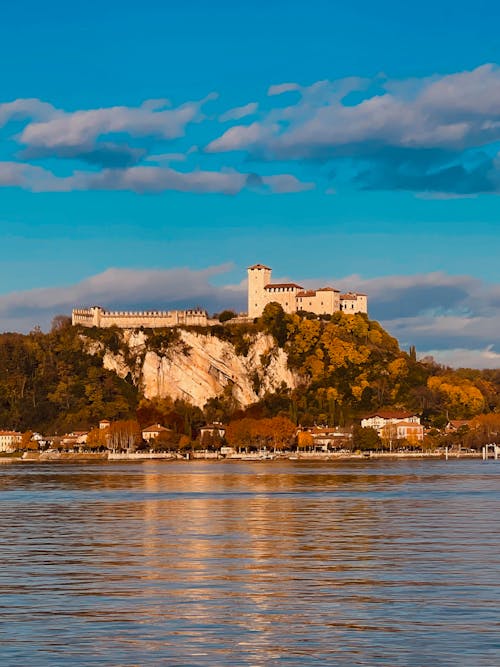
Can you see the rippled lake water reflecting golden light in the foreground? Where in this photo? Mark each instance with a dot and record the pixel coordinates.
(194, 564)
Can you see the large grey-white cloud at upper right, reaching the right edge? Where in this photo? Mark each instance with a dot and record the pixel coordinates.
(454, 111)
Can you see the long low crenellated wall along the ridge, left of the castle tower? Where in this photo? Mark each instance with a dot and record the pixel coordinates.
(153, 319)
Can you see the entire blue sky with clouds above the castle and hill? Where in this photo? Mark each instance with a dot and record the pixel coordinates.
(150, 152)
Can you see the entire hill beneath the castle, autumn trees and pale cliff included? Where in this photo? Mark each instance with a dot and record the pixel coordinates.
(329, 370)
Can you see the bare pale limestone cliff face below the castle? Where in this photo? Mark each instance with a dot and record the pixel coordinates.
(201, 366)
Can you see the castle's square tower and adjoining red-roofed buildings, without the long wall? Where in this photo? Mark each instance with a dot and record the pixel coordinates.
(293, 297)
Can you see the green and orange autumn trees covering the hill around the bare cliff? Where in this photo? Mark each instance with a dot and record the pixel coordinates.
(348, 366)
